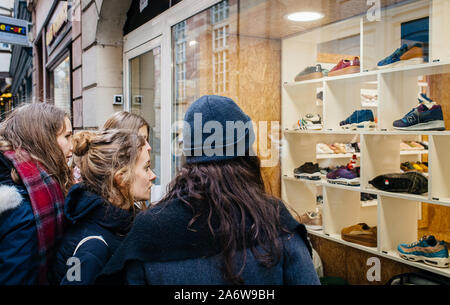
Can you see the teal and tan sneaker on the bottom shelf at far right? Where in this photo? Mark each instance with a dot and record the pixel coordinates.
(427, 249)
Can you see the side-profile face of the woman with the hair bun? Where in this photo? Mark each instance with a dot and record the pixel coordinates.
(140, 188)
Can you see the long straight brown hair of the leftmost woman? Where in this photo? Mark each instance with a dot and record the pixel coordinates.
(35, 128)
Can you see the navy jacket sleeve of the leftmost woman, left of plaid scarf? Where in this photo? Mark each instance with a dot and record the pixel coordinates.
(19, 259)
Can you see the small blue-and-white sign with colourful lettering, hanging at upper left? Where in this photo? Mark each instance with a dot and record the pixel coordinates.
(14, 31)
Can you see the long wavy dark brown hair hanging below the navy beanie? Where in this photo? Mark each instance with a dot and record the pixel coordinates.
(233, 193)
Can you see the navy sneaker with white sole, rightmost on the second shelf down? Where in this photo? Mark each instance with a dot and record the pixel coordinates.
(422, 118)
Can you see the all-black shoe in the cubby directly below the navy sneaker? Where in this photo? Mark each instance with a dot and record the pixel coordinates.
(409, 182)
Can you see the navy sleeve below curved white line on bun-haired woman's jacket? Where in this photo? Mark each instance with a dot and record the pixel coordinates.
(85, 266)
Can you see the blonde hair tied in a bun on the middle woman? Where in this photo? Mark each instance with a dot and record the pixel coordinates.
(101, 155)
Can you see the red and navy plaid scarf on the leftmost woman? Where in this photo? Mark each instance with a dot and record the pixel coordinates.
(47, 202)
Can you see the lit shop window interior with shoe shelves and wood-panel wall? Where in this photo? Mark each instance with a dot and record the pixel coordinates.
(312, 77)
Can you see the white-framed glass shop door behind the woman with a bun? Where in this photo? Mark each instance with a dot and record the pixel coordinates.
(144, 99)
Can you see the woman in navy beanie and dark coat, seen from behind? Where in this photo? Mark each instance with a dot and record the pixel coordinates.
(216, 224)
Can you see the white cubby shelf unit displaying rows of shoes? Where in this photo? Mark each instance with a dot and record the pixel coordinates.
(396, 215)
